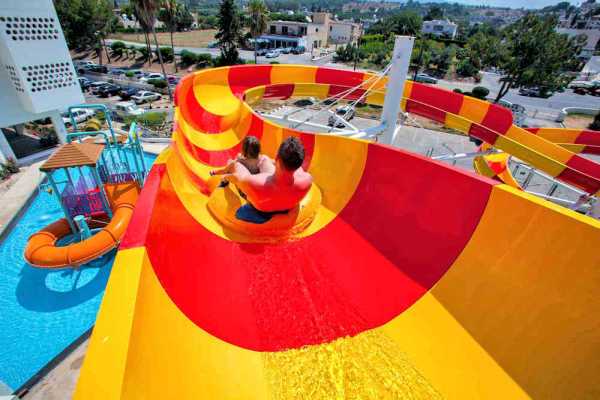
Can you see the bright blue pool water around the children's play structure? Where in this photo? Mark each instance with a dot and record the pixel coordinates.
(42, 312)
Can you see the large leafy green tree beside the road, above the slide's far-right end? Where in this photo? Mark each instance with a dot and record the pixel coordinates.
(537, 55)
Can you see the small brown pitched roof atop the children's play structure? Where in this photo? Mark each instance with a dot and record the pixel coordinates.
(73, 155)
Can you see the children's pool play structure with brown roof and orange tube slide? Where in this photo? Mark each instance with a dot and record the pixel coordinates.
(96, 177)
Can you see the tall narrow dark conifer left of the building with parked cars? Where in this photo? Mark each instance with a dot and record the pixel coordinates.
(229, 32)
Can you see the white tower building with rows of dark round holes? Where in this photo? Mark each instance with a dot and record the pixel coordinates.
(37, 77)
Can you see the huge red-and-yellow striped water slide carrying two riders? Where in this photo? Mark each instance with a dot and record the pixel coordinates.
(413, 280)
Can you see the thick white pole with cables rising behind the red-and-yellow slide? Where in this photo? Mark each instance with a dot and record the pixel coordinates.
(395, 86)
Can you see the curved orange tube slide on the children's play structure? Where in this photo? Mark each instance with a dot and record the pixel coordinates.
(43, 252)
